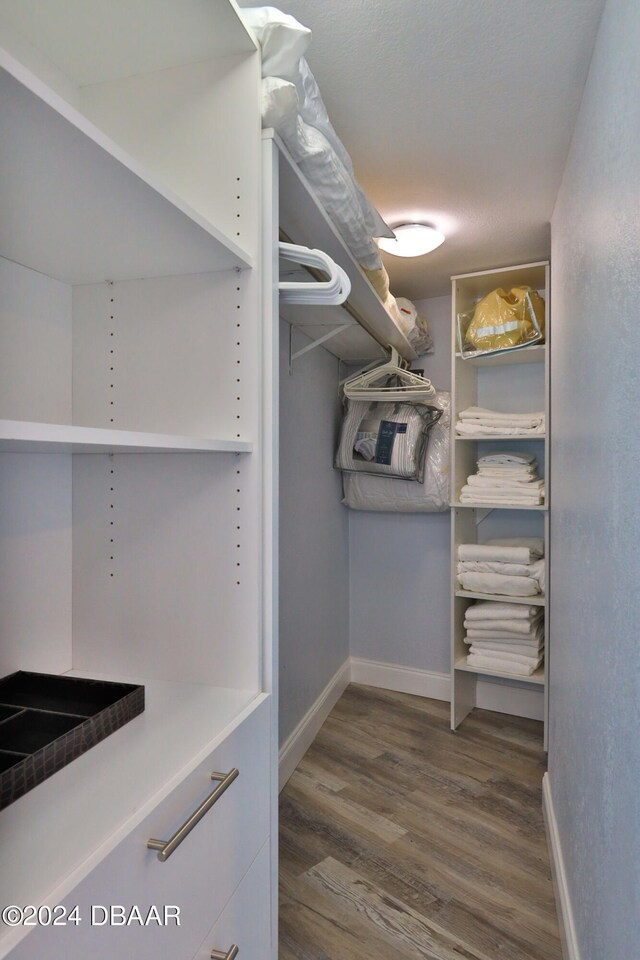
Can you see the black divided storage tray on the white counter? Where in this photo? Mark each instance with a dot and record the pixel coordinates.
(47, 721)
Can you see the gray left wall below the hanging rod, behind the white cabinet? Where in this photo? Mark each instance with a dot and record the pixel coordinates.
(314, 533)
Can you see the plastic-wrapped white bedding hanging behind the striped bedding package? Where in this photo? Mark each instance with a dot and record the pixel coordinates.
(385, 494)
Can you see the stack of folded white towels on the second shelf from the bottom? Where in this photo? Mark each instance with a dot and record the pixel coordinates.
(511, 568)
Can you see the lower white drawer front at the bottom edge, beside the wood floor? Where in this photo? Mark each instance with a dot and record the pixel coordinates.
(246, 920)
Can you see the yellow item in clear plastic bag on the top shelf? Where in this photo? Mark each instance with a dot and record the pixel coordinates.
(506, 320)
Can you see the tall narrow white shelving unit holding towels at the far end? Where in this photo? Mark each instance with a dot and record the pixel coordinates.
(516, 381)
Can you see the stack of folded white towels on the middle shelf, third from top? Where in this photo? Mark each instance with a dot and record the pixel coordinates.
(505, 478)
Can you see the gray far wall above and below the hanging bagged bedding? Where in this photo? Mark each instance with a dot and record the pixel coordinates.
(400, 564)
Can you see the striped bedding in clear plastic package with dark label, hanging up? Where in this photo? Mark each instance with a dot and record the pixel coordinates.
(385, 438)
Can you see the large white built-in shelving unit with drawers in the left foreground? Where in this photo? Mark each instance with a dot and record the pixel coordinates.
(135, 462)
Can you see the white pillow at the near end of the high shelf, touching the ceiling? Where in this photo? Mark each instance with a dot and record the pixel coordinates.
(283, 40)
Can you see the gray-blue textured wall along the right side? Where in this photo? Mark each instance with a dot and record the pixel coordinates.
(595, 673)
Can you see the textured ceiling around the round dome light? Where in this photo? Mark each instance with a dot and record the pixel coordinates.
(455, 112)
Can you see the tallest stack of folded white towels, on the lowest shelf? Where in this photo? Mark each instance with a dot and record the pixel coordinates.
(505, 637)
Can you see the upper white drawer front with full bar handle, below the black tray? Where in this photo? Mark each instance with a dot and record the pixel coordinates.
(199, 877)
